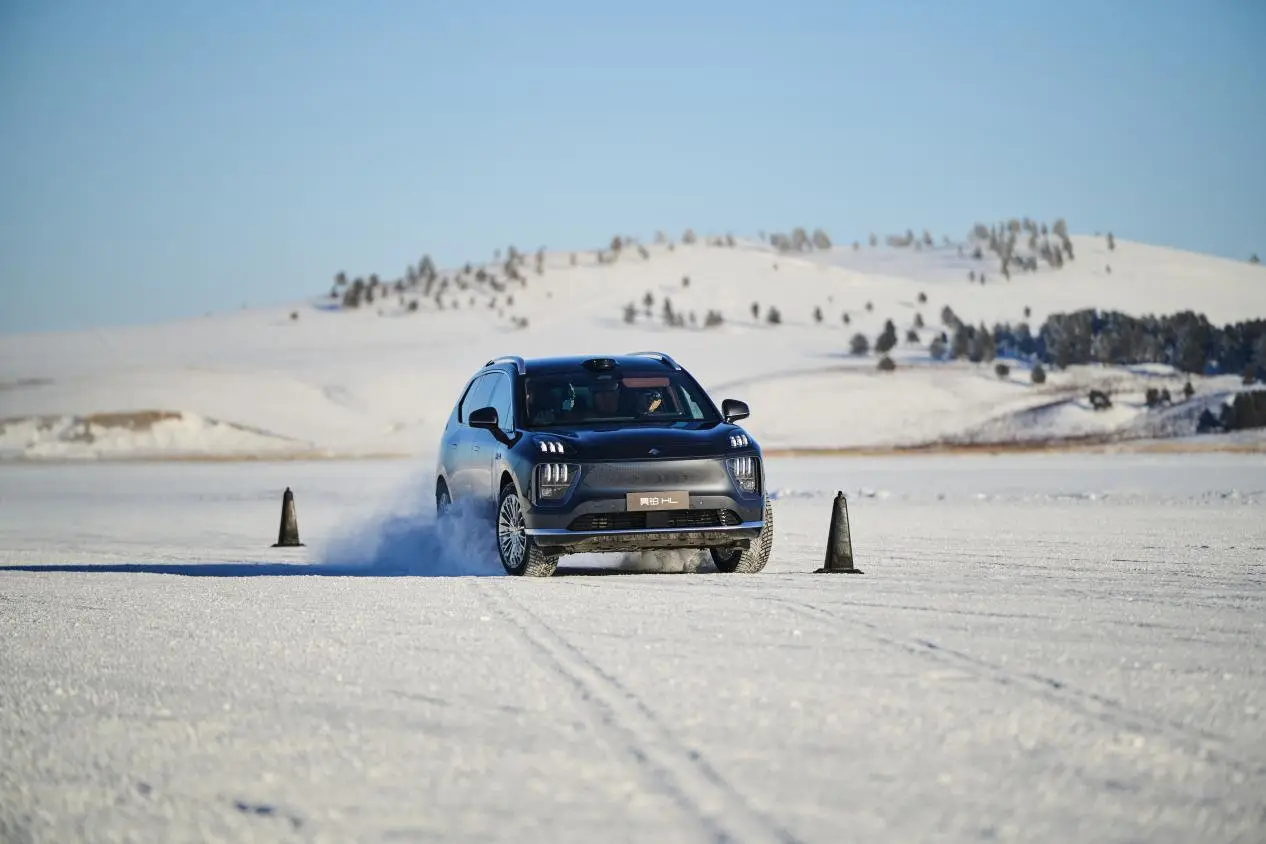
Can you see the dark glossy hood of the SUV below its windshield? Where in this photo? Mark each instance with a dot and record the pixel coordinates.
(629, 442)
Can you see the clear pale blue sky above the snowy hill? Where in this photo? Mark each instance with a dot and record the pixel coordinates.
(169, 159)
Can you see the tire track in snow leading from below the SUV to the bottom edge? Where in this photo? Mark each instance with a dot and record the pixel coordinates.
(682, 773)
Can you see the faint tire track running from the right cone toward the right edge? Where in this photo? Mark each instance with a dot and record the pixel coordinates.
(1101, 708)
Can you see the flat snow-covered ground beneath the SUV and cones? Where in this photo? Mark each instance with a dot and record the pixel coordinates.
(1043, 649)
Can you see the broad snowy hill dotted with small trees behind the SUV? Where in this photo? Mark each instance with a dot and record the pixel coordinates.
(317, 379)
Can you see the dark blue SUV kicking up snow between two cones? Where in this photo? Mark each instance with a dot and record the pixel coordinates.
(625, 454)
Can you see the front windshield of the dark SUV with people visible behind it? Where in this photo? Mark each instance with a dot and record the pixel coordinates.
(594, 398)
